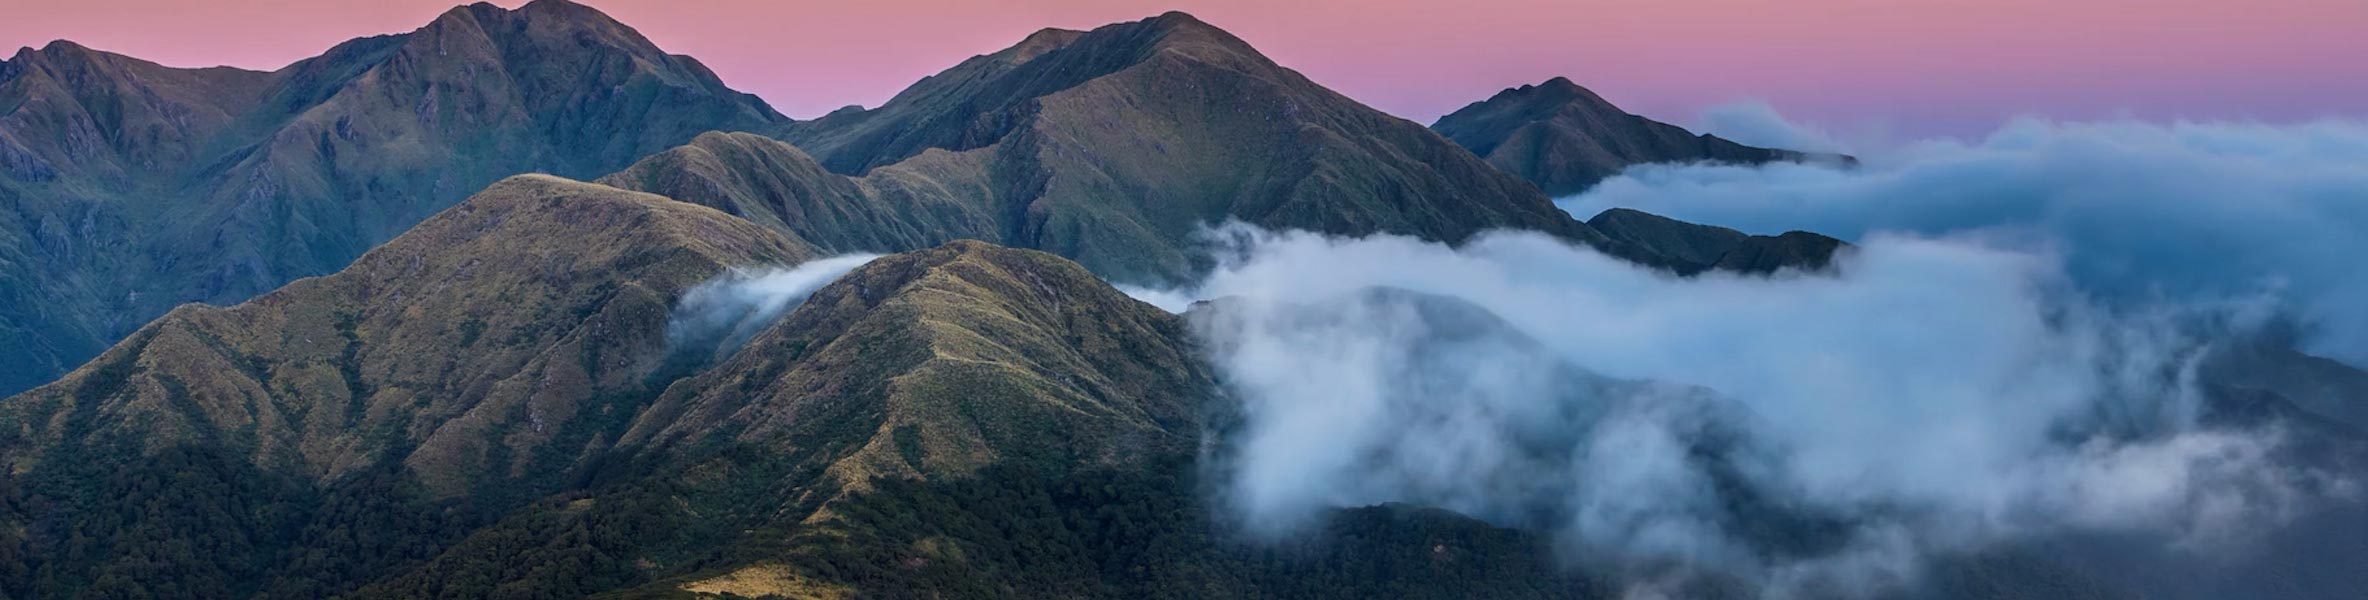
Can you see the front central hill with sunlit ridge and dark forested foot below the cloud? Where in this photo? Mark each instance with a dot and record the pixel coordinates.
(963, 421)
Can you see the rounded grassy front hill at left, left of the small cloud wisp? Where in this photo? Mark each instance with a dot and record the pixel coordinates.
(342, 426)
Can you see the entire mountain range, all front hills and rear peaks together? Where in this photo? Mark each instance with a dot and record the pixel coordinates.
(406, 321)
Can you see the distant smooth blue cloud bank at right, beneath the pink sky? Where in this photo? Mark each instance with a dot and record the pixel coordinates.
(2142, 212)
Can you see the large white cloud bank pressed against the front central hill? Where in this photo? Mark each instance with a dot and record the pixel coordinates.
(1803, 430)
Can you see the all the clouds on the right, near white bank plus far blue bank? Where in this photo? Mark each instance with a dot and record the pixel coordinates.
(2009, 350)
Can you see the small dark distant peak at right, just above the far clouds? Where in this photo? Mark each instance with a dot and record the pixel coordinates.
(1566, 139)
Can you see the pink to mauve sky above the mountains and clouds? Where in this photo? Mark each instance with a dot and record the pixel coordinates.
(1905, 68)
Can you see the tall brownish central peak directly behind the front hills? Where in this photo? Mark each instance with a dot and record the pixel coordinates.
(1114, 146)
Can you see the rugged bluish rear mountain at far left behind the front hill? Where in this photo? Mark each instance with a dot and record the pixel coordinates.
(134, 189)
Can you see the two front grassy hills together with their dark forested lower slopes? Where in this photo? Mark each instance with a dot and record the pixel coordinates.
(489, 409)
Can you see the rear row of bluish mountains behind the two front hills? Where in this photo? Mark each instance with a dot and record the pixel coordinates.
(136, 189)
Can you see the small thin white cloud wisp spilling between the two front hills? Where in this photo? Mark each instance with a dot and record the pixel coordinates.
(721, 314)
